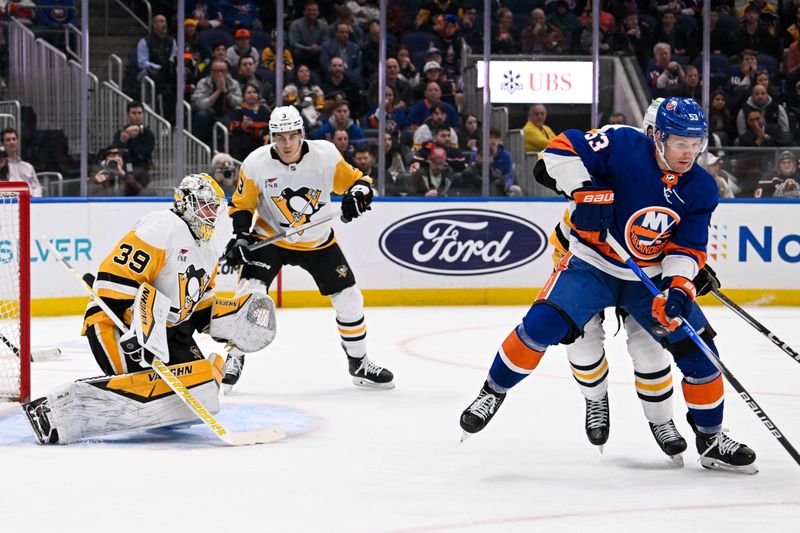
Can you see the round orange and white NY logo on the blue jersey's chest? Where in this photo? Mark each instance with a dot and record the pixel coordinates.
(648, 231)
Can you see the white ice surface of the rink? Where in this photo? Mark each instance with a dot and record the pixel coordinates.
(390, 461)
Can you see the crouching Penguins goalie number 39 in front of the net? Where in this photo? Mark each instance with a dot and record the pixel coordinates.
(172, 252)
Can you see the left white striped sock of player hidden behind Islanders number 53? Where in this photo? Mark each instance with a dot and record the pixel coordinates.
(588, 360)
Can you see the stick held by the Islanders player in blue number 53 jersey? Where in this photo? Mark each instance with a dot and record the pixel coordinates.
(690, 331)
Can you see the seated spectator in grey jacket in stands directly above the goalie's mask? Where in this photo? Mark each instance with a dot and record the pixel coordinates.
(216, 95)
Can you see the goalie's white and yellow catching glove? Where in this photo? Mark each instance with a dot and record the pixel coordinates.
(247, 321)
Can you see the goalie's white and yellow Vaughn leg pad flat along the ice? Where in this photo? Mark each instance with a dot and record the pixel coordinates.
(107, 405)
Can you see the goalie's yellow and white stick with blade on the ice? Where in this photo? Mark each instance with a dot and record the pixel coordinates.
(260, 436)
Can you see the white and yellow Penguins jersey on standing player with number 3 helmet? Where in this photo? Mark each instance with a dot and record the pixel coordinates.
(285, 196)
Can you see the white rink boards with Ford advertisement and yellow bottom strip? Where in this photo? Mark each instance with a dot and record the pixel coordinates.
(422, 252)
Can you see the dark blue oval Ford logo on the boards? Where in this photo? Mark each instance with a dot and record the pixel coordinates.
(462, 242)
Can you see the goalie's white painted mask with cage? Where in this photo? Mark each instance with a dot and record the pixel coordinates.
(198, 200)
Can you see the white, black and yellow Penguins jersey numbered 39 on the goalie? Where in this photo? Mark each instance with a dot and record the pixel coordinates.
(162, 251)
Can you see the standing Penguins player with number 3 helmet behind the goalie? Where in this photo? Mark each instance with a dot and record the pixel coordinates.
(287, 184)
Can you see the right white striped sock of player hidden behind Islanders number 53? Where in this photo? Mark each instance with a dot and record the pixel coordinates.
(652, 369)
